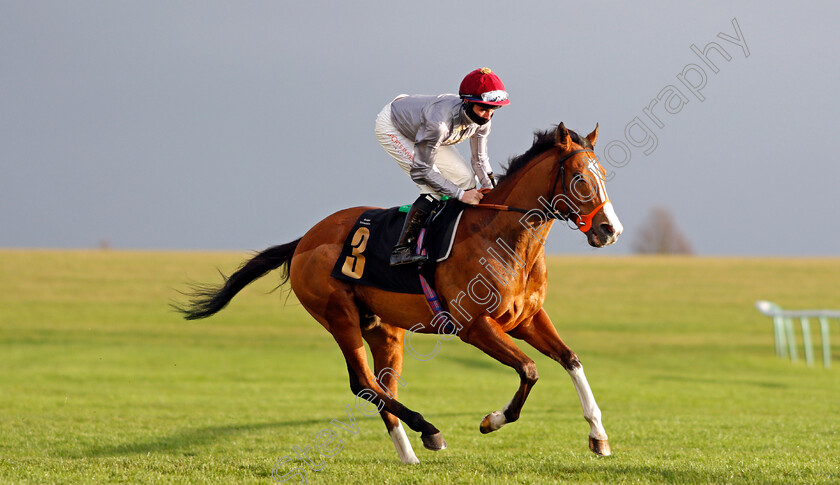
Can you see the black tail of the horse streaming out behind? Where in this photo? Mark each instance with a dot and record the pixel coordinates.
(206, 300)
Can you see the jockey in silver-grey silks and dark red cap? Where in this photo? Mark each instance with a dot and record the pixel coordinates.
(418, 131)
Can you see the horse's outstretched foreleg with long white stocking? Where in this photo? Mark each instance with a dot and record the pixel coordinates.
(541, 334)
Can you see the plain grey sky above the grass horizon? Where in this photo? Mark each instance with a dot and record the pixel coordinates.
(238, 125)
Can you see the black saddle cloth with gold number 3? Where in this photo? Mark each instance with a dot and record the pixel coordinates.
(365, 256)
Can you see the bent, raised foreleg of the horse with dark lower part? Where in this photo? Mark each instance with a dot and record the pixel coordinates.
(487, 335)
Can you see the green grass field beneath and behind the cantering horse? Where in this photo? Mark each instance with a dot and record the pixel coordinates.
(101, 383)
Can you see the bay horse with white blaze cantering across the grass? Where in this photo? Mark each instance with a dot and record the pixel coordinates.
(494, 281)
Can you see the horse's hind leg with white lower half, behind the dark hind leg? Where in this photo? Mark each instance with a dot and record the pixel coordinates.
(386, 343)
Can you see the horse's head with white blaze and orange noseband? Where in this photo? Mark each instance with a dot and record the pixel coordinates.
(581, 181)
